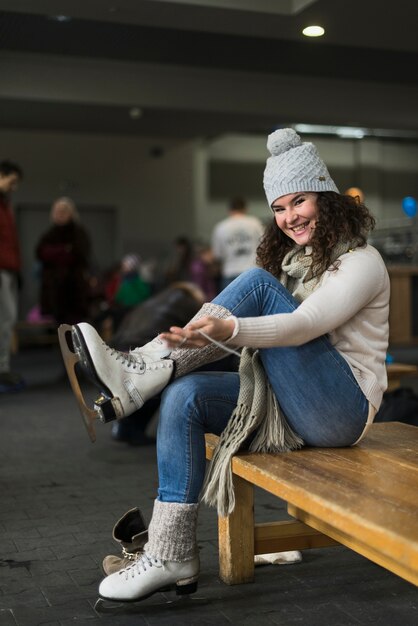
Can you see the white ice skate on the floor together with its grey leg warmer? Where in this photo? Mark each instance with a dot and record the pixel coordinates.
(170, 559)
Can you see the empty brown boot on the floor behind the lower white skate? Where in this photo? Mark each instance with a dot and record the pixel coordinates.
(131, 533)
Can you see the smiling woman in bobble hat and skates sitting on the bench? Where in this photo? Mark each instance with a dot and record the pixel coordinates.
(312, 323)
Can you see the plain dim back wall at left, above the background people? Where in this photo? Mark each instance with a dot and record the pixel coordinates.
(154, 195)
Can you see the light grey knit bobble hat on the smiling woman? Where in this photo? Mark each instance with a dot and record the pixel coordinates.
(293, 166)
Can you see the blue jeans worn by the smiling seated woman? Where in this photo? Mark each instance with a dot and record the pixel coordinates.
(313, 384)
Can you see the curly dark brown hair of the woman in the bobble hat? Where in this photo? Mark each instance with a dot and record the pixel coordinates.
(340, 219)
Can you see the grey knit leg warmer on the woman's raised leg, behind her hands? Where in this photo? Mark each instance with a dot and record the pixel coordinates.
(187, 360)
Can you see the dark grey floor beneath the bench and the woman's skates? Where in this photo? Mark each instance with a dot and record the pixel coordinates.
(60, 496)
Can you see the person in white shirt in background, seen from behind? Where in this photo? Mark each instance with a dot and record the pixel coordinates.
(235, 240)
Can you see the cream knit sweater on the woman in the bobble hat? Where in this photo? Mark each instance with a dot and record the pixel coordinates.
(351, 306)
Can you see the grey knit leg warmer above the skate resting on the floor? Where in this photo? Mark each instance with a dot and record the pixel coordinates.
(172, 531)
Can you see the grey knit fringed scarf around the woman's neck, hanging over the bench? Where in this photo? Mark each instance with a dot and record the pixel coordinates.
(257, 407)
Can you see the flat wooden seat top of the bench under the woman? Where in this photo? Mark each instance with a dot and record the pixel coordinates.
(365, 497)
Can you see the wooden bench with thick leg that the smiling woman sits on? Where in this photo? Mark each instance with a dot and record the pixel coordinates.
(364, 497)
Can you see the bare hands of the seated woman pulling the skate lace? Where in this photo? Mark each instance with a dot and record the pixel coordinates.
(190, 337)
